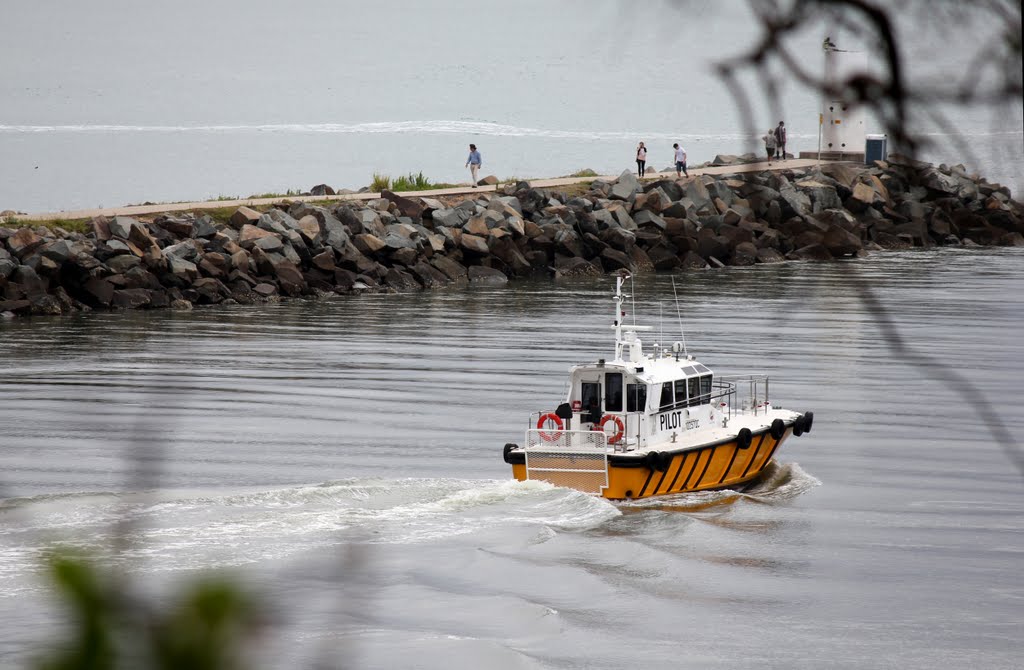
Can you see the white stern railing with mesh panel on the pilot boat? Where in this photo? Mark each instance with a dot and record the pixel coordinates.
(576, 459)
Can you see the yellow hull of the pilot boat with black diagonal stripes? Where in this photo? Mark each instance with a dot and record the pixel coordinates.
(718, 466)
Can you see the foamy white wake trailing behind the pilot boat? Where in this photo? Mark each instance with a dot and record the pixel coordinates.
(175, 530)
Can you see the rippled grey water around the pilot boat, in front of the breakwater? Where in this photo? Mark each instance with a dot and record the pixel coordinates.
(344, 458)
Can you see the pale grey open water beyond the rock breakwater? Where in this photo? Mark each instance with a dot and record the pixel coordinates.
(104, 104)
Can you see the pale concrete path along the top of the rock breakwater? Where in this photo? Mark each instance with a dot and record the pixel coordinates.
(139, 211)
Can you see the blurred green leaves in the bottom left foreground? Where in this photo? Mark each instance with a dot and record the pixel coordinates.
(204, 627)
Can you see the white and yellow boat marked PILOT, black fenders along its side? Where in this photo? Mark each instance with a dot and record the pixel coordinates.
(654, 425)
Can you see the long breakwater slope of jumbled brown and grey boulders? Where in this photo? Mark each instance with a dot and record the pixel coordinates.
(398, 243)
